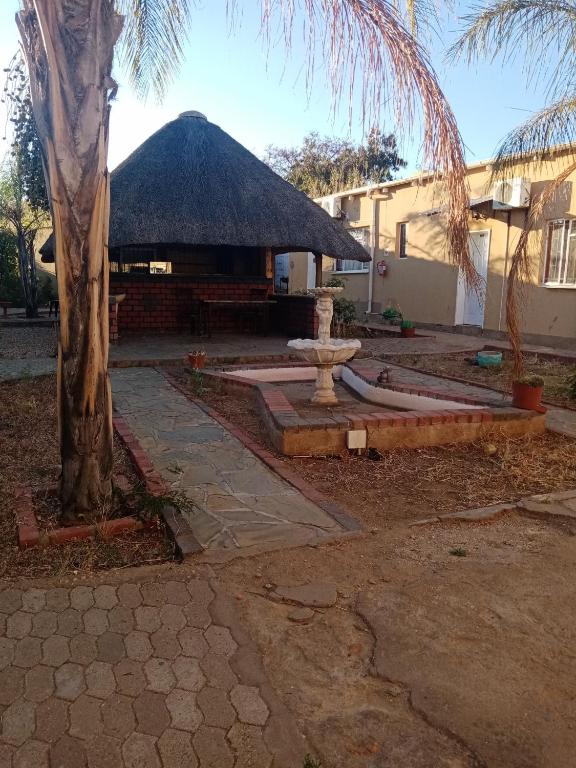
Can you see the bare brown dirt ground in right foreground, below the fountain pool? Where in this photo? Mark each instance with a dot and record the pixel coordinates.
(450, 645)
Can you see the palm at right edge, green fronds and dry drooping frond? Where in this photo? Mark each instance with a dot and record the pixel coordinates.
(544, 32)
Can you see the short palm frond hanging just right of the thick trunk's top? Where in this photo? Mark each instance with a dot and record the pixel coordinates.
(151, 45)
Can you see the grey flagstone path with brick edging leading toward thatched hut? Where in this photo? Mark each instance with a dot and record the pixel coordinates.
(237, 504)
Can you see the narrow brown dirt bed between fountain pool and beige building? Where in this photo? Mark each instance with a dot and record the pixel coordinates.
(555, 374)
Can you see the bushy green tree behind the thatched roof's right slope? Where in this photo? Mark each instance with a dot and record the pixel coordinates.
(323, 165)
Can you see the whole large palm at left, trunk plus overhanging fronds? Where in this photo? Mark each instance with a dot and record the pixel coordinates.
(69, 49)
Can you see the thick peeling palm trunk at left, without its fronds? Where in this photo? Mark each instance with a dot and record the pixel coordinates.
(69, 48)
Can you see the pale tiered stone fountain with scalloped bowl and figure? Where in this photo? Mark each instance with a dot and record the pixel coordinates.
(325, 352)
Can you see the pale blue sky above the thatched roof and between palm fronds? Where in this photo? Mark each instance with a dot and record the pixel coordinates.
(260, 96)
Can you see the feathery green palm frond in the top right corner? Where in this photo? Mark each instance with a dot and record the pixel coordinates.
(543, 32)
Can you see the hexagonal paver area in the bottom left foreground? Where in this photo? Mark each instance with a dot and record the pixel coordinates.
(155, 673)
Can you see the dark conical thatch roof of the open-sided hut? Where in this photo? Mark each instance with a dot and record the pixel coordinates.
(191, 183)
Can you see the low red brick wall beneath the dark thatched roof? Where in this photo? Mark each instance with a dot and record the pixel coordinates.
(162, 303)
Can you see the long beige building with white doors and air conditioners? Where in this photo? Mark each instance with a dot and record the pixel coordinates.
(402, 224)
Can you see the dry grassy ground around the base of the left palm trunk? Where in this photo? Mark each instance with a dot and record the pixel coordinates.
(29, 456)
